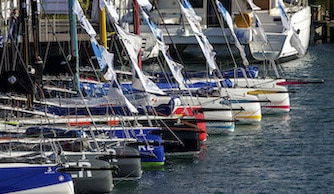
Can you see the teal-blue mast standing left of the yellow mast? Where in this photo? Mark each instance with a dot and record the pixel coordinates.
(74, 43)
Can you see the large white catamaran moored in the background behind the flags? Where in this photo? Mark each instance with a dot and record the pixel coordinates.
(179, 34)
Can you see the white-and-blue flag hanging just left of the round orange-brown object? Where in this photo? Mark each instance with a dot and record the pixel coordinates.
(227, 17)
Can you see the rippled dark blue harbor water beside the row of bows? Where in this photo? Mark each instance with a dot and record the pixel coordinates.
(290, 153)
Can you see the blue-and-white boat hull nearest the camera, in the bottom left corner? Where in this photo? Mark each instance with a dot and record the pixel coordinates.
(30, 178)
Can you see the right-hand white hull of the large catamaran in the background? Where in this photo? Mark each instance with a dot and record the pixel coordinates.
(279, 41)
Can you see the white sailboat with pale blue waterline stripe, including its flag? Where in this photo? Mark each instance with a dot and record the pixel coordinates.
(219, 115)
